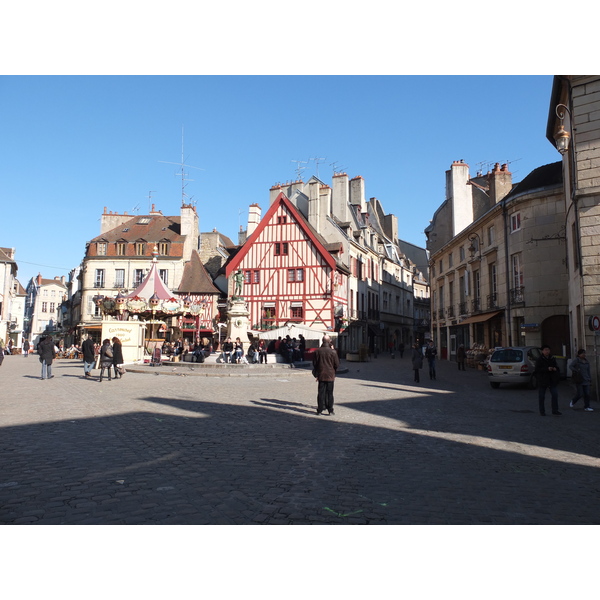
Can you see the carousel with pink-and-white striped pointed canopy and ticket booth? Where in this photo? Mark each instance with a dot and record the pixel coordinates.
(142, 319)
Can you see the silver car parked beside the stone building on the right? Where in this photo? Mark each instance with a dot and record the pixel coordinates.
(513, 365)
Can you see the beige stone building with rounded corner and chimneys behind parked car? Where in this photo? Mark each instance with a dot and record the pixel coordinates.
(497, 261)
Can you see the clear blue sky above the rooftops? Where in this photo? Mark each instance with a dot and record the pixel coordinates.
(75, 144)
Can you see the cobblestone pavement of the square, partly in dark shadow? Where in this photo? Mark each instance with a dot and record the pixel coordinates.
(159, 447)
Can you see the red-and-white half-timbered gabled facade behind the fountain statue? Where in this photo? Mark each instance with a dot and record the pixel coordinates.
(289, 274)
